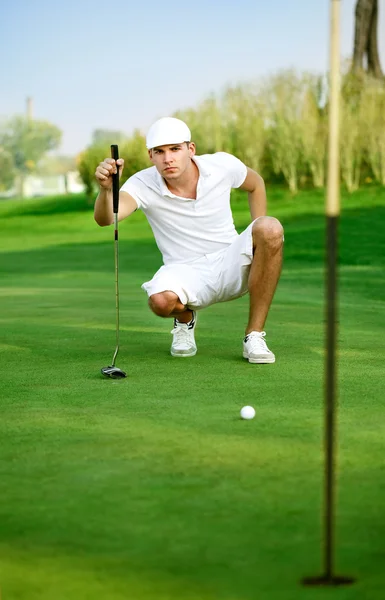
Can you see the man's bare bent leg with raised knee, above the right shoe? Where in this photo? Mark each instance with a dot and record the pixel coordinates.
(265, 270)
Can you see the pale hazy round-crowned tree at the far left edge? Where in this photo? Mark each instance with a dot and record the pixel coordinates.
(27, 142)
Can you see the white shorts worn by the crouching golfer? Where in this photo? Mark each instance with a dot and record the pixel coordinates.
(216, 277)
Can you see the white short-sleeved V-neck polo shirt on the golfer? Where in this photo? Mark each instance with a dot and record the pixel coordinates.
(186, 229)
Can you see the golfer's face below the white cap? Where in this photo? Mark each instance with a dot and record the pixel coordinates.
(172, 160)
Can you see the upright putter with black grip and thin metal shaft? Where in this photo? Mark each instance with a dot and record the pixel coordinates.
(112, 371)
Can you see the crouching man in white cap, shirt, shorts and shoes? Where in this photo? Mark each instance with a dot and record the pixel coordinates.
(186, 199)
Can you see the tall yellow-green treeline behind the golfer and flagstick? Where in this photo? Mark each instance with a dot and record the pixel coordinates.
(279, 128)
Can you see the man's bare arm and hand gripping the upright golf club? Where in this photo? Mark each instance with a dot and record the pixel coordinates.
(103, 212)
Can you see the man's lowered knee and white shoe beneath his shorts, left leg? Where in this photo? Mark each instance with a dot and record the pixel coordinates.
(168, 304)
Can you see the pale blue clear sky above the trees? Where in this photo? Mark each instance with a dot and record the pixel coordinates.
(91, 64)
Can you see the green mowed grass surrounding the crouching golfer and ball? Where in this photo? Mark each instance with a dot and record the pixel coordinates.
(152, 488)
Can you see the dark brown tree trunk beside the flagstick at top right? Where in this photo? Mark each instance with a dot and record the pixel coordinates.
(365, 38)
